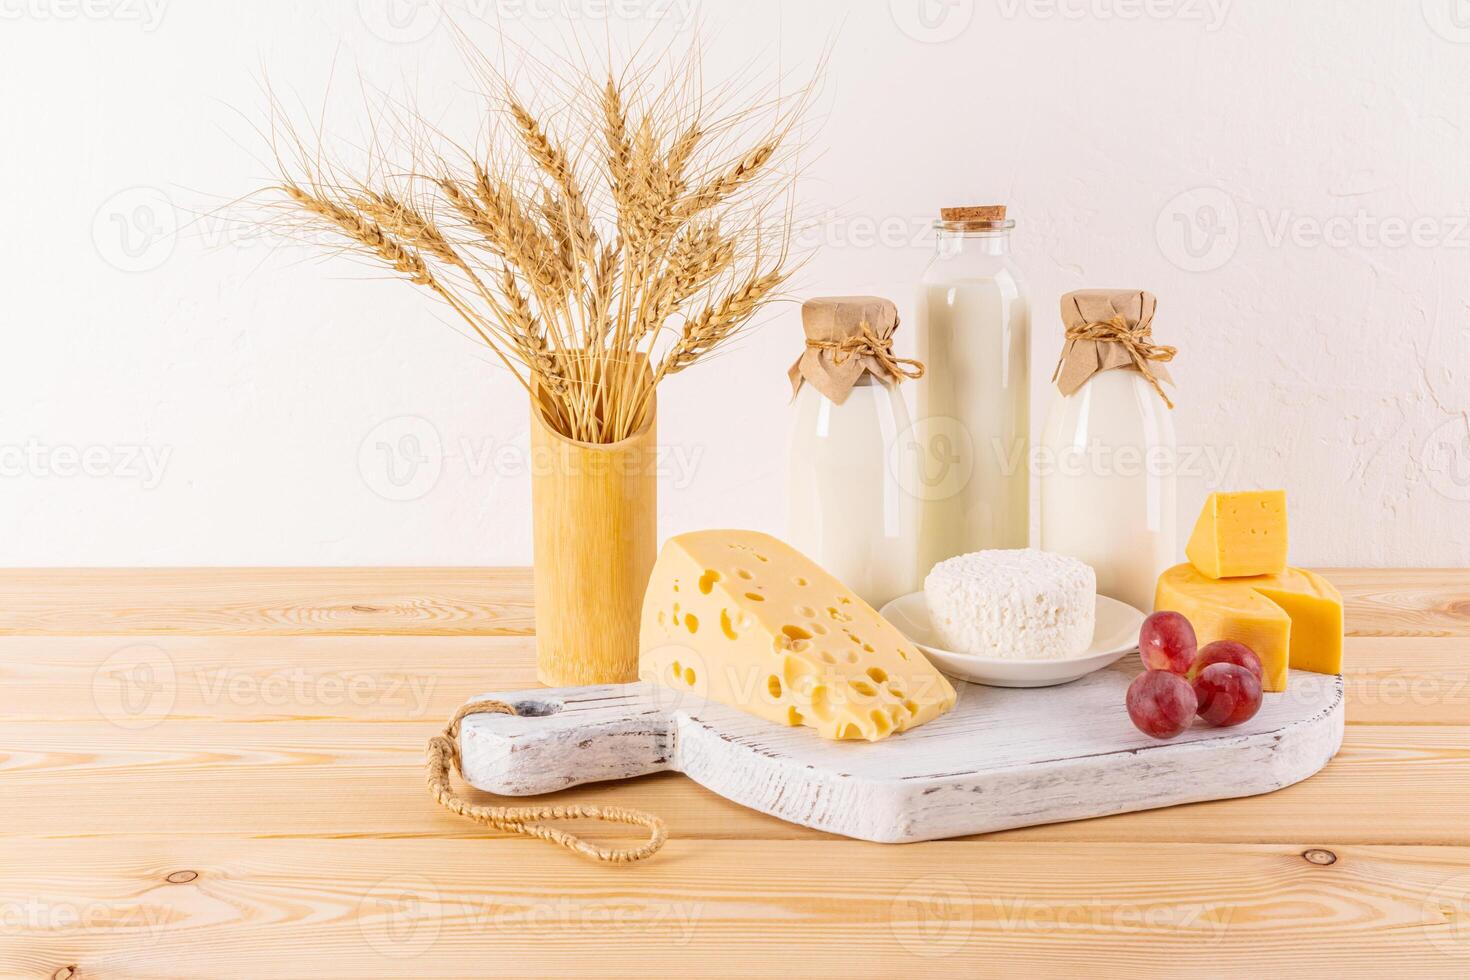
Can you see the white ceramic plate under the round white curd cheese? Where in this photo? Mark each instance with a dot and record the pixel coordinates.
(1116, 635)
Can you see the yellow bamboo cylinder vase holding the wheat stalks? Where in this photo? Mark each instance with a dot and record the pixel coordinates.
(595, 511)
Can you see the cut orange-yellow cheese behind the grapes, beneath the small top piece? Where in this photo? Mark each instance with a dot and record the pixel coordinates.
(1293, 619)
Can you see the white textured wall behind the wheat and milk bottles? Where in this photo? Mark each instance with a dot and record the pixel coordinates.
(1290, 179)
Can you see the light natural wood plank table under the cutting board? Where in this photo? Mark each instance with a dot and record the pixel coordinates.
(218, 774)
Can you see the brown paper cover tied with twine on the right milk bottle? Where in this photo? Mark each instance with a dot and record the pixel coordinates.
(1124, 314)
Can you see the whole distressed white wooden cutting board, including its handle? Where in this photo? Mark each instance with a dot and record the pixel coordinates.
(1002, 759)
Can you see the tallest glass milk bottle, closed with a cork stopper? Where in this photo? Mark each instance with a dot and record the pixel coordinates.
(974, 430)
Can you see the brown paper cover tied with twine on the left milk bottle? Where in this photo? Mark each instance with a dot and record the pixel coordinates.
(847, 337)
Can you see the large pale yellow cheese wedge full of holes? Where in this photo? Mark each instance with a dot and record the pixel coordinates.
(745, 619)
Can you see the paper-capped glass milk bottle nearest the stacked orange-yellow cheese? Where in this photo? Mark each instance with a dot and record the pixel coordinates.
(1108, 458)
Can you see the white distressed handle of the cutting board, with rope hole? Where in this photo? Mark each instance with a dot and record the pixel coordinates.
(567, 737)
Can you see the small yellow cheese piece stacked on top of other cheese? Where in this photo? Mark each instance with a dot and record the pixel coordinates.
(1240, 534)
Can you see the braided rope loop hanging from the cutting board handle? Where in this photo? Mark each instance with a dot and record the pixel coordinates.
(445, 757)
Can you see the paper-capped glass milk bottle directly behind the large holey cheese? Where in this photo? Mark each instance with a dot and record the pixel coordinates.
(849, 494)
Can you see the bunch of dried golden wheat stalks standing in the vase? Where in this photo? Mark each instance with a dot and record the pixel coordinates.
(596, 256)
